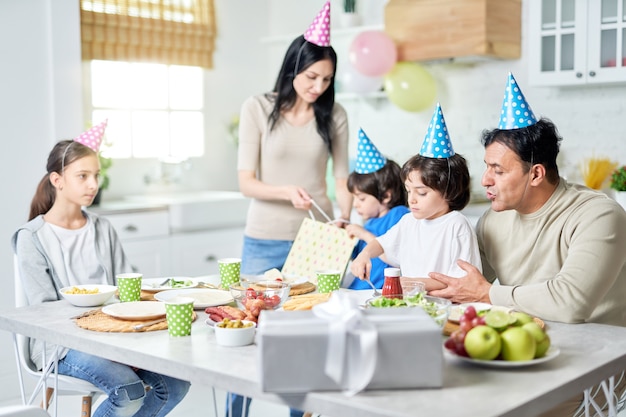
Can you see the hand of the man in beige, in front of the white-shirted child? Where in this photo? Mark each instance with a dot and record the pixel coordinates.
(473, 287)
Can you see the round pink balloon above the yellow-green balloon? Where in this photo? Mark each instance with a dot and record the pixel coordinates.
(373, 53)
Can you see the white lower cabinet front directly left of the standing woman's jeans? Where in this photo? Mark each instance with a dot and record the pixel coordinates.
(195, 254)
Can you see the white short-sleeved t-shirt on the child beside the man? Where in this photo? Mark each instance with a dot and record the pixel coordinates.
(423, 246)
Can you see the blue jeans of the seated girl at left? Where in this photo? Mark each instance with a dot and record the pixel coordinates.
(126, 389)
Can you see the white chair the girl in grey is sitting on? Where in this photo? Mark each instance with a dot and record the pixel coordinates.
(52, 384)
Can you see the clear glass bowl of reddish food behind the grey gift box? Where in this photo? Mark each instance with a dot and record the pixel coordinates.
(263, 295)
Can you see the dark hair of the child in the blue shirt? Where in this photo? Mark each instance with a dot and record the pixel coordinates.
(386, 179)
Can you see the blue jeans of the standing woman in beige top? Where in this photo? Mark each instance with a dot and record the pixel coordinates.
(258, 256)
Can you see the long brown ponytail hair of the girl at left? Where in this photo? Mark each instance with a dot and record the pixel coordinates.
(64, 153)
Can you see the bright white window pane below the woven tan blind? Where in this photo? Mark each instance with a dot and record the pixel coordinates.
(154, 110)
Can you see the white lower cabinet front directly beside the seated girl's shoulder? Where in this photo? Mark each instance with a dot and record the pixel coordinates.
(145, 238)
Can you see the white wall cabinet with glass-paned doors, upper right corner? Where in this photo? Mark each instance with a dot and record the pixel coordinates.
(577, 42)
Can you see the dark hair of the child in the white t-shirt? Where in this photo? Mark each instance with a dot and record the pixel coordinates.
(449, 176)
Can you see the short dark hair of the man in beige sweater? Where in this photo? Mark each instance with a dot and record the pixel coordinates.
(535, 144)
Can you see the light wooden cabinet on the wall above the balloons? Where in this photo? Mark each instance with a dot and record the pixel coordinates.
(426, 30)
